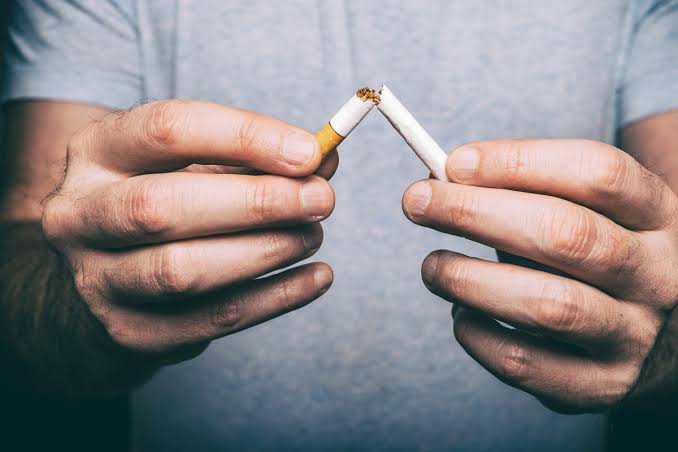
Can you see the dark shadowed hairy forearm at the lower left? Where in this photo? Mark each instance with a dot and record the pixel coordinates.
(47, 334)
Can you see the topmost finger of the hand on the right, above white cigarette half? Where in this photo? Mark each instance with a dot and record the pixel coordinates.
(589, 173)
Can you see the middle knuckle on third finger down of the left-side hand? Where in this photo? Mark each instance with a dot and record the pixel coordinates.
(170, 275)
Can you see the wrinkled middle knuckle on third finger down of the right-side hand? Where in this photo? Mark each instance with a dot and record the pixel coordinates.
(559, 308)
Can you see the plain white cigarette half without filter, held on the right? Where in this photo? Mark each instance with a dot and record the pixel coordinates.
(414, 134)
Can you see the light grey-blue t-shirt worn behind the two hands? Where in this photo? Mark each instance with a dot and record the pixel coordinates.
(373, 364)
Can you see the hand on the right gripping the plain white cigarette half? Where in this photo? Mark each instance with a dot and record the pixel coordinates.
(605, 232)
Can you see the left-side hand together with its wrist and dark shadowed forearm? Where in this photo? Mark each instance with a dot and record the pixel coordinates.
(154, 239)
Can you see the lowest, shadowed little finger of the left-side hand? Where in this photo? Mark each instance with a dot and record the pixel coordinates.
(163, 328)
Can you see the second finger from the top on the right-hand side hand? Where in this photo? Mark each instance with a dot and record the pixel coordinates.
(548, 230)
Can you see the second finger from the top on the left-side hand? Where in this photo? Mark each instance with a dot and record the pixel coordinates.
(162, 207)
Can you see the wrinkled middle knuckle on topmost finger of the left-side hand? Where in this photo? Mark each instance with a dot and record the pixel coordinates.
(165, 122)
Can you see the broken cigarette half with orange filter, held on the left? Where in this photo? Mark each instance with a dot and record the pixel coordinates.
(346, 119)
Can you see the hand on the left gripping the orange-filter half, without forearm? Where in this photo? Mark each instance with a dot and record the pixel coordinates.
(166, 259)
